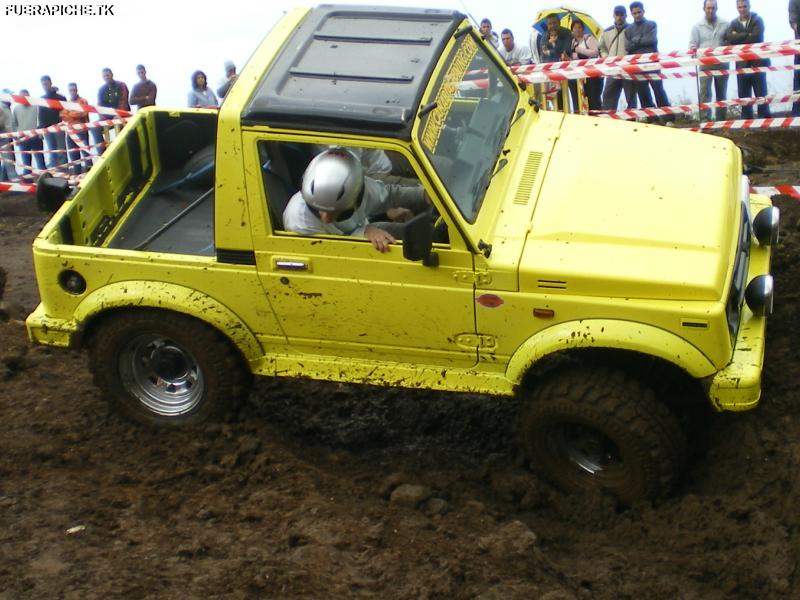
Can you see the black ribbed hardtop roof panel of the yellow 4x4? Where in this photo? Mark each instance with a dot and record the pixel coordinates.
(353, 68)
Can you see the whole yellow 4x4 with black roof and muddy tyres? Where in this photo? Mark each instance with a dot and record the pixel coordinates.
(606, 307)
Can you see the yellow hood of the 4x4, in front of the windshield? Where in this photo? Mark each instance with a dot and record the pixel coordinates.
(637, 211)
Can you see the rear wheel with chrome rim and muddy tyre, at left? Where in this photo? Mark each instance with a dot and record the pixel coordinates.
(165, 369)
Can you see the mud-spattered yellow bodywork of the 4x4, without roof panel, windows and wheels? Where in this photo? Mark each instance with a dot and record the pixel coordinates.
(630, 254)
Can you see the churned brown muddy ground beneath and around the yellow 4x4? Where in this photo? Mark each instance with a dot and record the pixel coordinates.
(332, 491)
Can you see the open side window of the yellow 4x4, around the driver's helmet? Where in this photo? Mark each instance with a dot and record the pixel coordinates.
(391, 195)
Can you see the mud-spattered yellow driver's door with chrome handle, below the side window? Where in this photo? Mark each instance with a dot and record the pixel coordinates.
(337, 295)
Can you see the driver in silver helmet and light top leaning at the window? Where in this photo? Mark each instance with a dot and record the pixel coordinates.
(336, 198)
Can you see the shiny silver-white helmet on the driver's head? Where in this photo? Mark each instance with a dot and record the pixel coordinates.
(333, 181)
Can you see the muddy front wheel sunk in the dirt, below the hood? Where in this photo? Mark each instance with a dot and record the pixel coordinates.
(597, 429)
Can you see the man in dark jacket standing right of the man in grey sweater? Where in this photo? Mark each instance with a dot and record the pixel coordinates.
(748, 28)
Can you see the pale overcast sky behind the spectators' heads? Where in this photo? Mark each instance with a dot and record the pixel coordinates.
(175, 37)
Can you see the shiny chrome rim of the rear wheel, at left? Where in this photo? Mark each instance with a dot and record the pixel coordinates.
(161, 374)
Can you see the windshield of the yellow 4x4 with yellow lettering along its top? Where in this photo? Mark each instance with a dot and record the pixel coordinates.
(465, 126)
